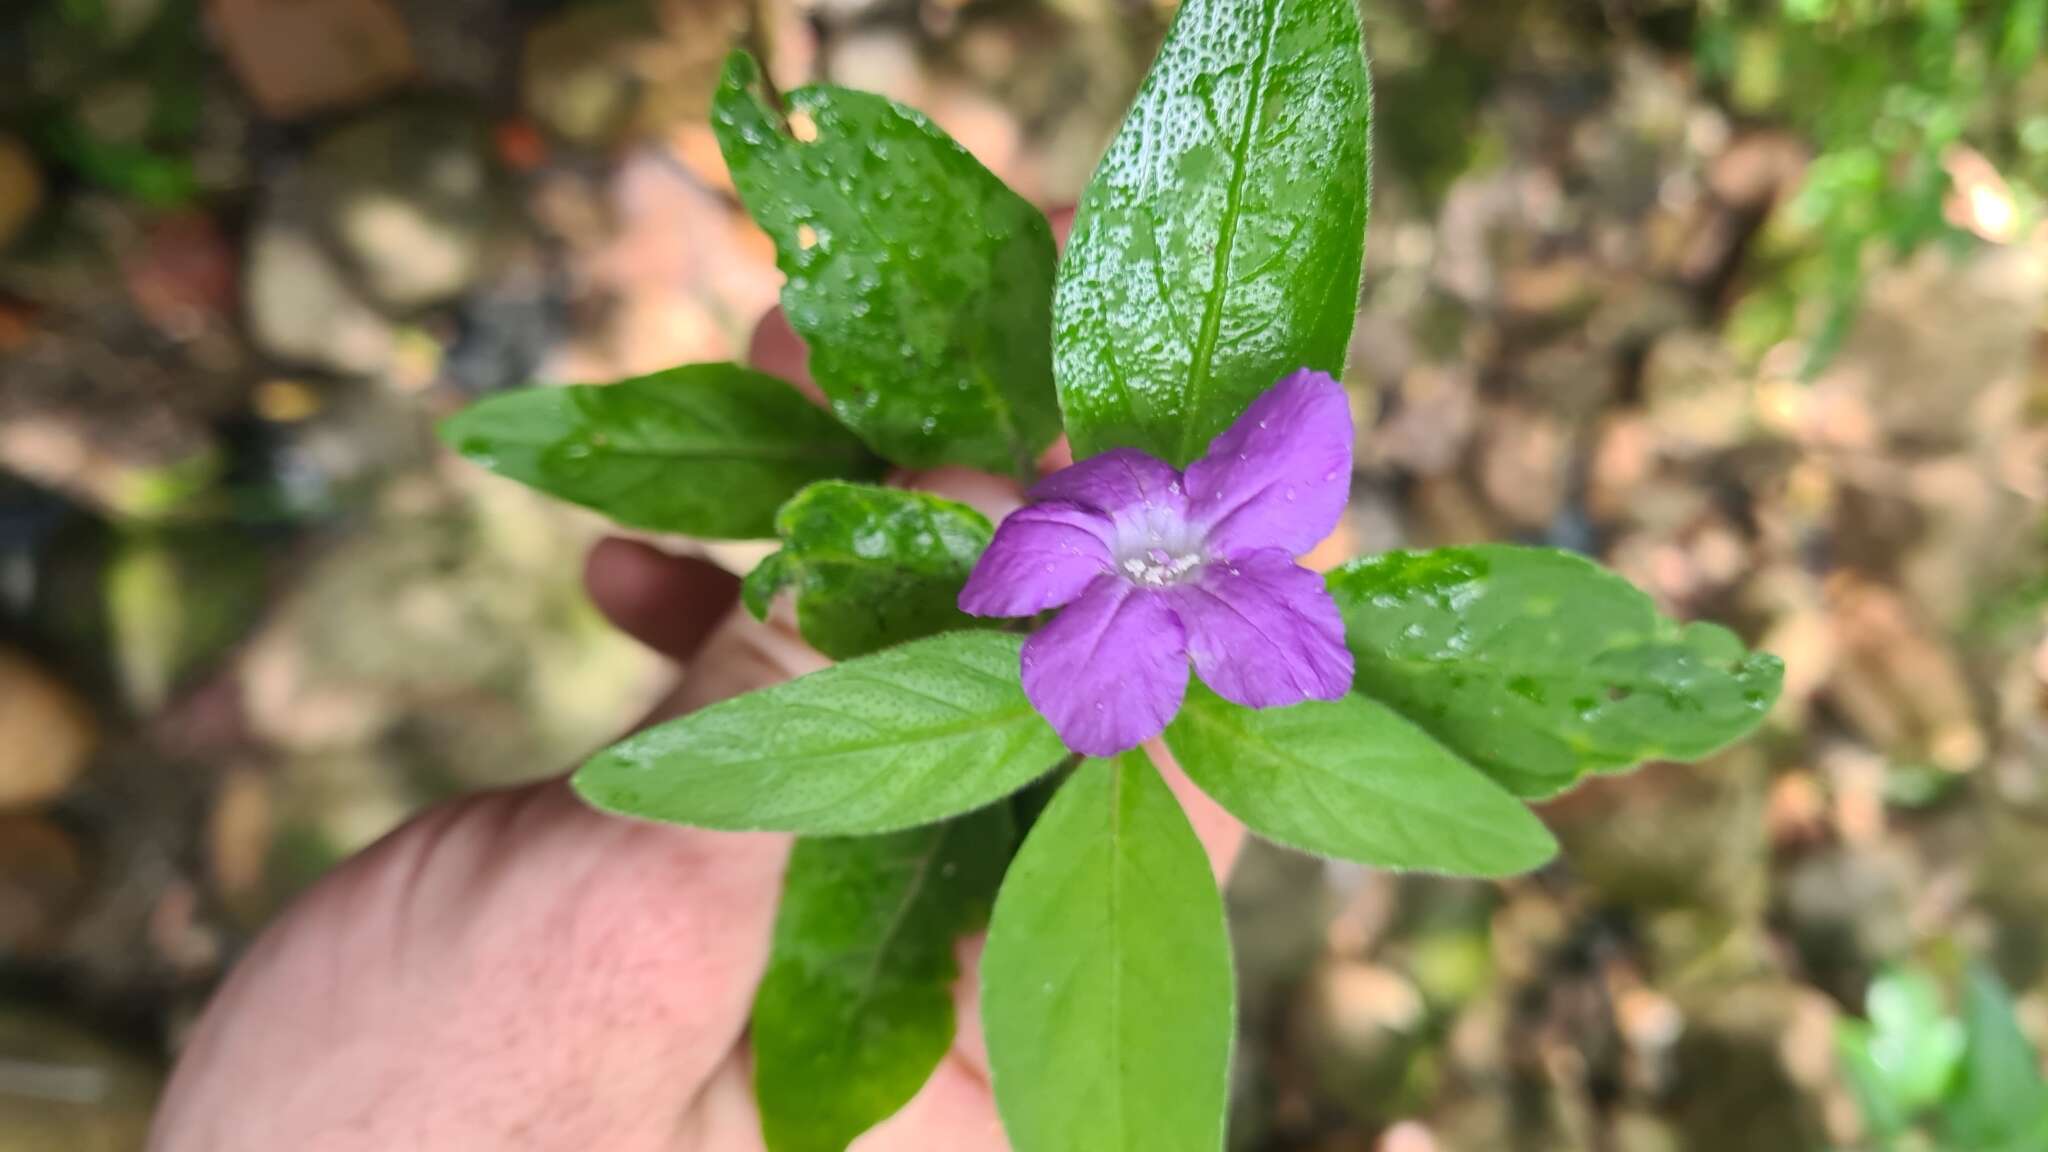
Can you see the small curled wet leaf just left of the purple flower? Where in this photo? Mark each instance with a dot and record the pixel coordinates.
(873, 567)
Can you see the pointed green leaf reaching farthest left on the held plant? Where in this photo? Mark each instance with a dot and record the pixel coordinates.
(703, 450)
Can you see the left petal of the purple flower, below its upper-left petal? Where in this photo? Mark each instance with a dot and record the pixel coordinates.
(1041, 557)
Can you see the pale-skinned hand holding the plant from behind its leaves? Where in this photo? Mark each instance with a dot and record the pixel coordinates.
(517, 973)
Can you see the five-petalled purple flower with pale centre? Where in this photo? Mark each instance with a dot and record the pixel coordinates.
(1158, 569)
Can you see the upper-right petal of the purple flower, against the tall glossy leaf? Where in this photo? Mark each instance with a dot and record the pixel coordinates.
(1281, 475)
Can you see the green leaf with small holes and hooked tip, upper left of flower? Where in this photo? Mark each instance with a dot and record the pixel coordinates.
(919, 280)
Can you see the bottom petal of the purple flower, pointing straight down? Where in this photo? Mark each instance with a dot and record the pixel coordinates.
(1111, 671)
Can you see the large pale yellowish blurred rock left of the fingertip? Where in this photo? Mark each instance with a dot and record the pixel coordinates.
(443, 636)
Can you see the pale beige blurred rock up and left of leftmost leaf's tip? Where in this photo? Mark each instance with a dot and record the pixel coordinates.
(304, 311)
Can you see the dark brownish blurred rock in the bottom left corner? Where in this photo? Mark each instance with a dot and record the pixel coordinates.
(69, 1087)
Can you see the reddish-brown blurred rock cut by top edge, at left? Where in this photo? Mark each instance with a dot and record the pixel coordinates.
(308, 56)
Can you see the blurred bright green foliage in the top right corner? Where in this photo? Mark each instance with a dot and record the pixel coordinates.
(1889, 93)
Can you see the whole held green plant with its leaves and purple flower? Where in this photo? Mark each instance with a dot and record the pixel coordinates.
(966, 766)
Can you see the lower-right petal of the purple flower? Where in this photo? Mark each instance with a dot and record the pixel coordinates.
(1265, 632)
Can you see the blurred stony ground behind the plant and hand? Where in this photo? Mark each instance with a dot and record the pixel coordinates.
(1748, 298)
